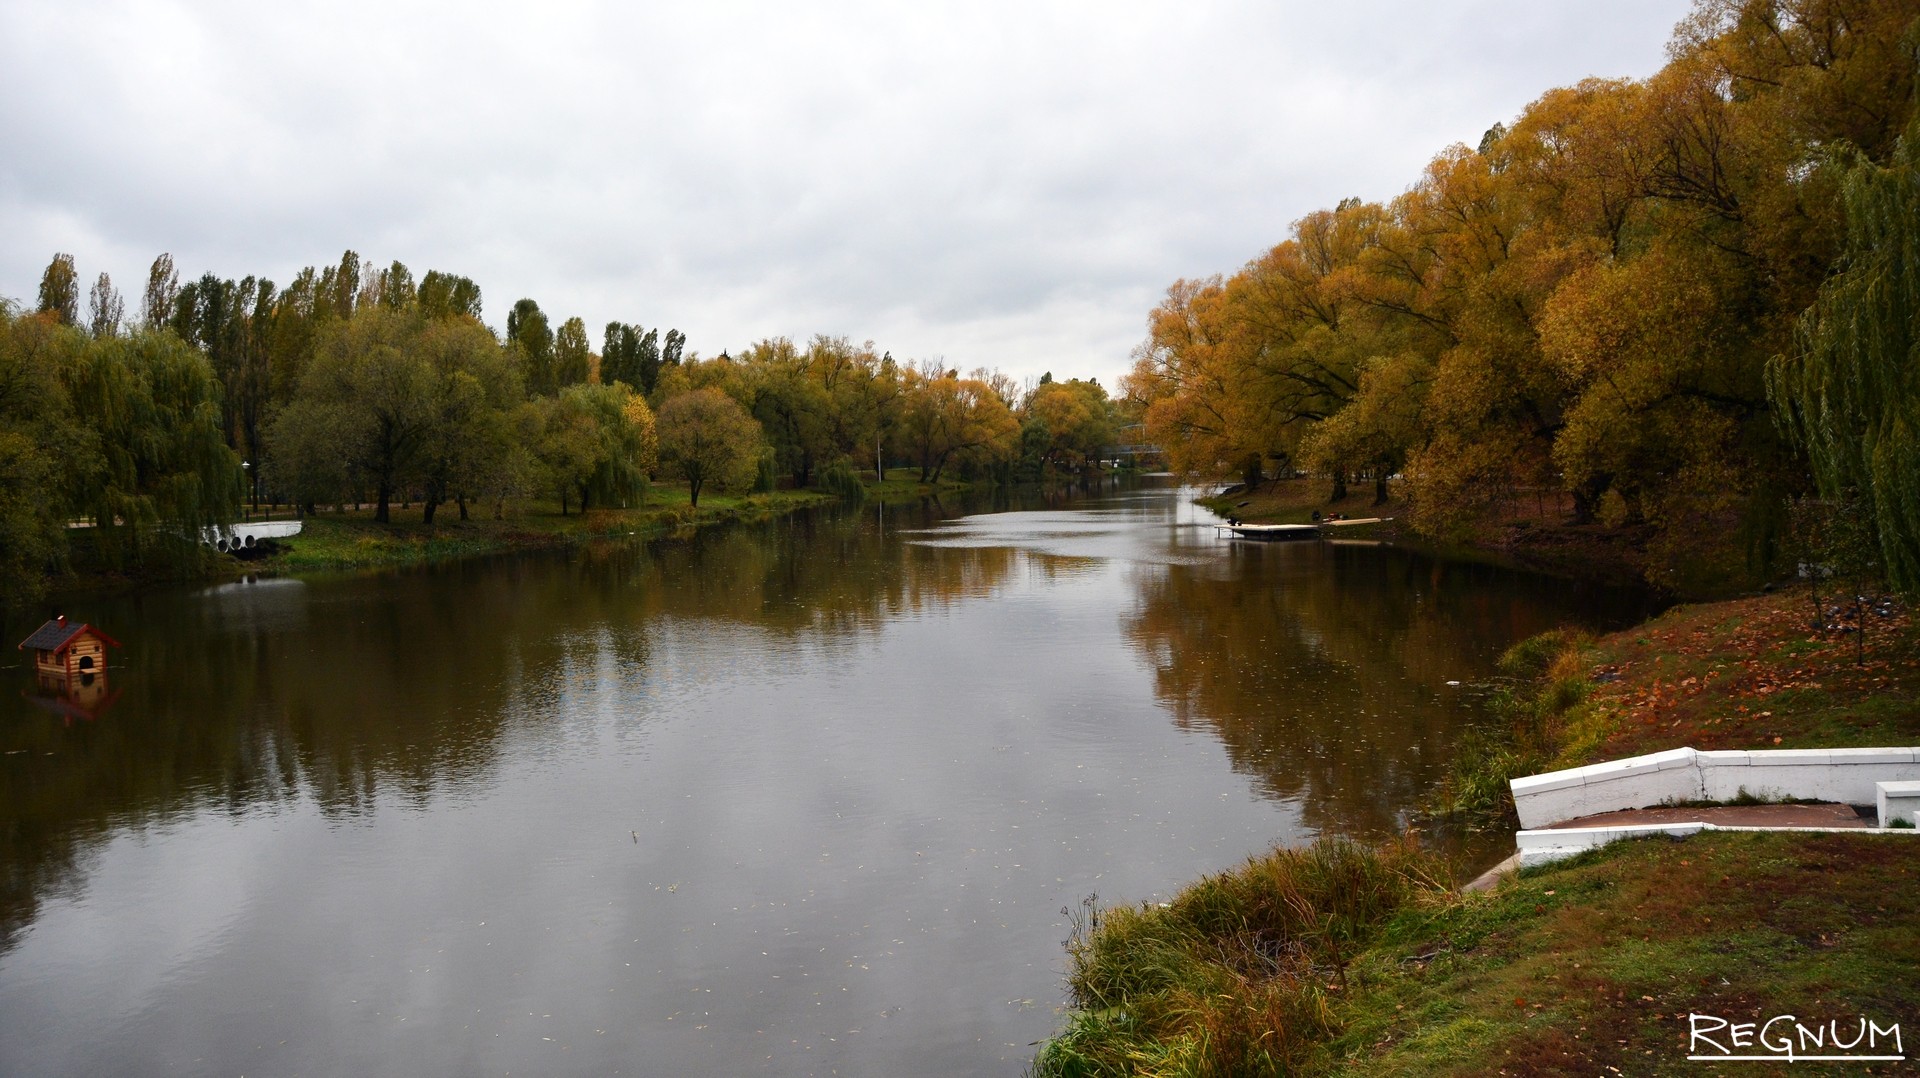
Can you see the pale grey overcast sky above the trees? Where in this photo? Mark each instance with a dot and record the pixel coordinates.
(1003, 185)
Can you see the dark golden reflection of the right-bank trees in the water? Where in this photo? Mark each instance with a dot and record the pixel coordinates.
(1324, 670)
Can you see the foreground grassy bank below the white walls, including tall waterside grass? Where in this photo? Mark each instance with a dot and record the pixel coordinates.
(1345, 960)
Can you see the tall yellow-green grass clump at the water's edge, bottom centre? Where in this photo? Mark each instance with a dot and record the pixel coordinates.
(1234, 975)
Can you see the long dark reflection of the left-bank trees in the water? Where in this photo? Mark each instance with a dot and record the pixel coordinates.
(404, 685)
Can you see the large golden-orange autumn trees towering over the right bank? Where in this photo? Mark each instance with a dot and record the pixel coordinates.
(1585, 305)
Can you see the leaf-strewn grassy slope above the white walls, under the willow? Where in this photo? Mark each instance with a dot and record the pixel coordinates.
(1756, 674)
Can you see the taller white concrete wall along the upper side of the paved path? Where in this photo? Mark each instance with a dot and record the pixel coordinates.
(1689, 775)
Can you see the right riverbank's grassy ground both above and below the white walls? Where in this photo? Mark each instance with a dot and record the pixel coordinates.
(1589, 964)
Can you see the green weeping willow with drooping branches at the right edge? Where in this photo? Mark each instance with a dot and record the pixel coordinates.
(1850, 391)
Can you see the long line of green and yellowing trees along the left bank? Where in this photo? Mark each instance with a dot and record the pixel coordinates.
(362, 385)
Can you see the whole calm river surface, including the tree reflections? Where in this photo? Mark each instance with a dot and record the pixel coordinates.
(802, 798)
